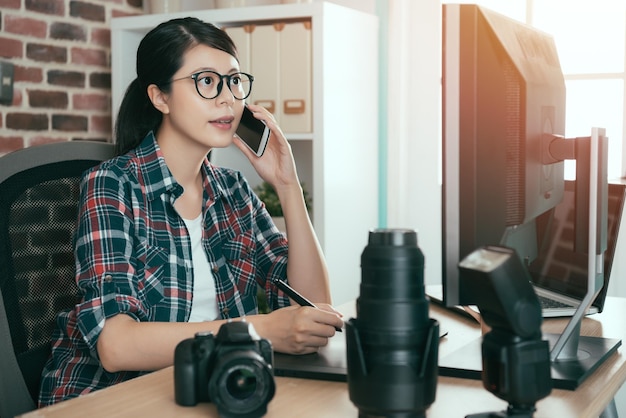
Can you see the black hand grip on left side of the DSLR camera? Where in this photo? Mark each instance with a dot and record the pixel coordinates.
(185, 374)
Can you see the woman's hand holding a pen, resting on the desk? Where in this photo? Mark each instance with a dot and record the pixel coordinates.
(299, 329)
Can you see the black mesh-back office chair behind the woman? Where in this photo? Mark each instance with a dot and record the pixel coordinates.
(38, 214)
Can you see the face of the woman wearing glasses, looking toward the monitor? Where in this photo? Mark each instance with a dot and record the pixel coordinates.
(210, 123)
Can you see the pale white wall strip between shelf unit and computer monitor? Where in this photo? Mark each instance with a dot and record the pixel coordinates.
(414, 125)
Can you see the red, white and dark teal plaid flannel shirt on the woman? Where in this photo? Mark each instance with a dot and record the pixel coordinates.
(133, 256)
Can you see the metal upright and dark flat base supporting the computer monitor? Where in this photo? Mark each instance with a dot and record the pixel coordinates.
(572, 357)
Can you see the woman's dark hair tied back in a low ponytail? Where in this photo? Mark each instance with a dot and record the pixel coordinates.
(159, 56)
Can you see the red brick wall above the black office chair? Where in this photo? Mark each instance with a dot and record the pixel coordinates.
(61, 52)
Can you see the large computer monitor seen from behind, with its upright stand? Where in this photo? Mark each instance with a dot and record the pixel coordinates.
(503, 150)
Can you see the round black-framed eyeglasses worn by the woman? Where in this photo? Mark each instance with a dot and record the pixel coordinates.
(209, 84)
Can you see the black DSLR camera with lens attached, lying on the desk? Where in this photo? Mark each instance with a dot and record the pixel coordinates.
(234, 370)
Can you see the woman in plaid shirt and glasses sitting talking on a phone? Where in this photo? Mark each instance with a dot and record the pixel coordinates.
(169, 245)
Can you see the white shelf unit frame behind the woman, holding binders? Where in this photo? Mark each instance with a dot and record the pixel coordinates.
(338, 161)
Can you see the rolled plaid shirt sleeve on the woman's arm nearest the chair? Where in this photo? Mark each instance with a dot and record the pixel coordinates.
(109, 266)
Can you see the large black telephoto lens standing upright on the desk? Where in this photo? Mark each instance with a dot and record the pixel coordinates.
(392, 345)
